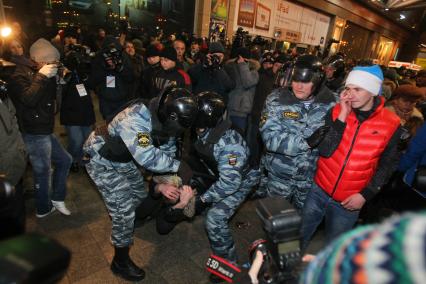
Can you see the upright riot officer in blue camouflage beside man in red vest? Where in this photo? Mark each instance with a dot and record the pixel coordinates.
(290, 116)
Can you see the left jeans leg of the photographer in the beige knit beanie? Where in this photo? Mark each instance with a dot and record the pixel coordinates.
(39, 149)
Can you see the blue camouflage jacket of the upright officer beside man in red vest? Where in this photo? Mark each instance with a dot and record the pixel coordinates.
(285, 124)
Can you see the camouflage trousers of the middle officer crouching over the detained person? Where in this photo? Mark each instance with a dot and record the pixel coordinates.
(218, 216)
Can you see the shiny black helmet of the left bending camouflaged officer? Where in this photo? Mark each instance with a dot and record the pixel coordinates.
(177, 109)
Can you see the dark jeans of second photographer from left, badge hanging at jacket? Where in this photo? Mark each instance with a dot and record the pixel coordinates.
(77, 135)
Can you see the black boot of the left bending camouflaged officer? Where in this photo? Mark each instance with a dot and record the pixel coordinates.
(124, 267)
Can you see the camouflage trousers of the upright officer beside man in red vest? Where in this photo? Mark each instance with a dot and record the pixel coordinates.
(295, 191)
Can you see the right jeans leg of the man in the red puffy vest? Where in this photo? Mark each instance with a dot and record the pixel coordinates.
(338, 220)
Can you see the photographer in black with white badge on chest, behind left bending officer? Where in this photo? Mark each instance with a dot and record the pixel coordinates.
(111, 77)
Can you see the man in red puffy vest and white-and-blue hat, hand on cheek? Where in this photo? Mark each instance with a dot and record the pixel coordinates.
(358, 153)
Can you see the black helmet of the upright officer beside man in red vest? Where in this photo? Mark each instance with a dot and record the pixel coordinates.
(308, 68)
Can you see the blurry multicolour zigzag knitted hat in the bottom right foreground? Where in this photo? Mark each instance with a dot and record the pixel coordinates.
(392, 252)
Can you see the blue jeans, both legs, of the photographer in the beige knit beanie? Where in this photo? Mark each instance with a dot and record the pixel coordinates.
(43, 150)
